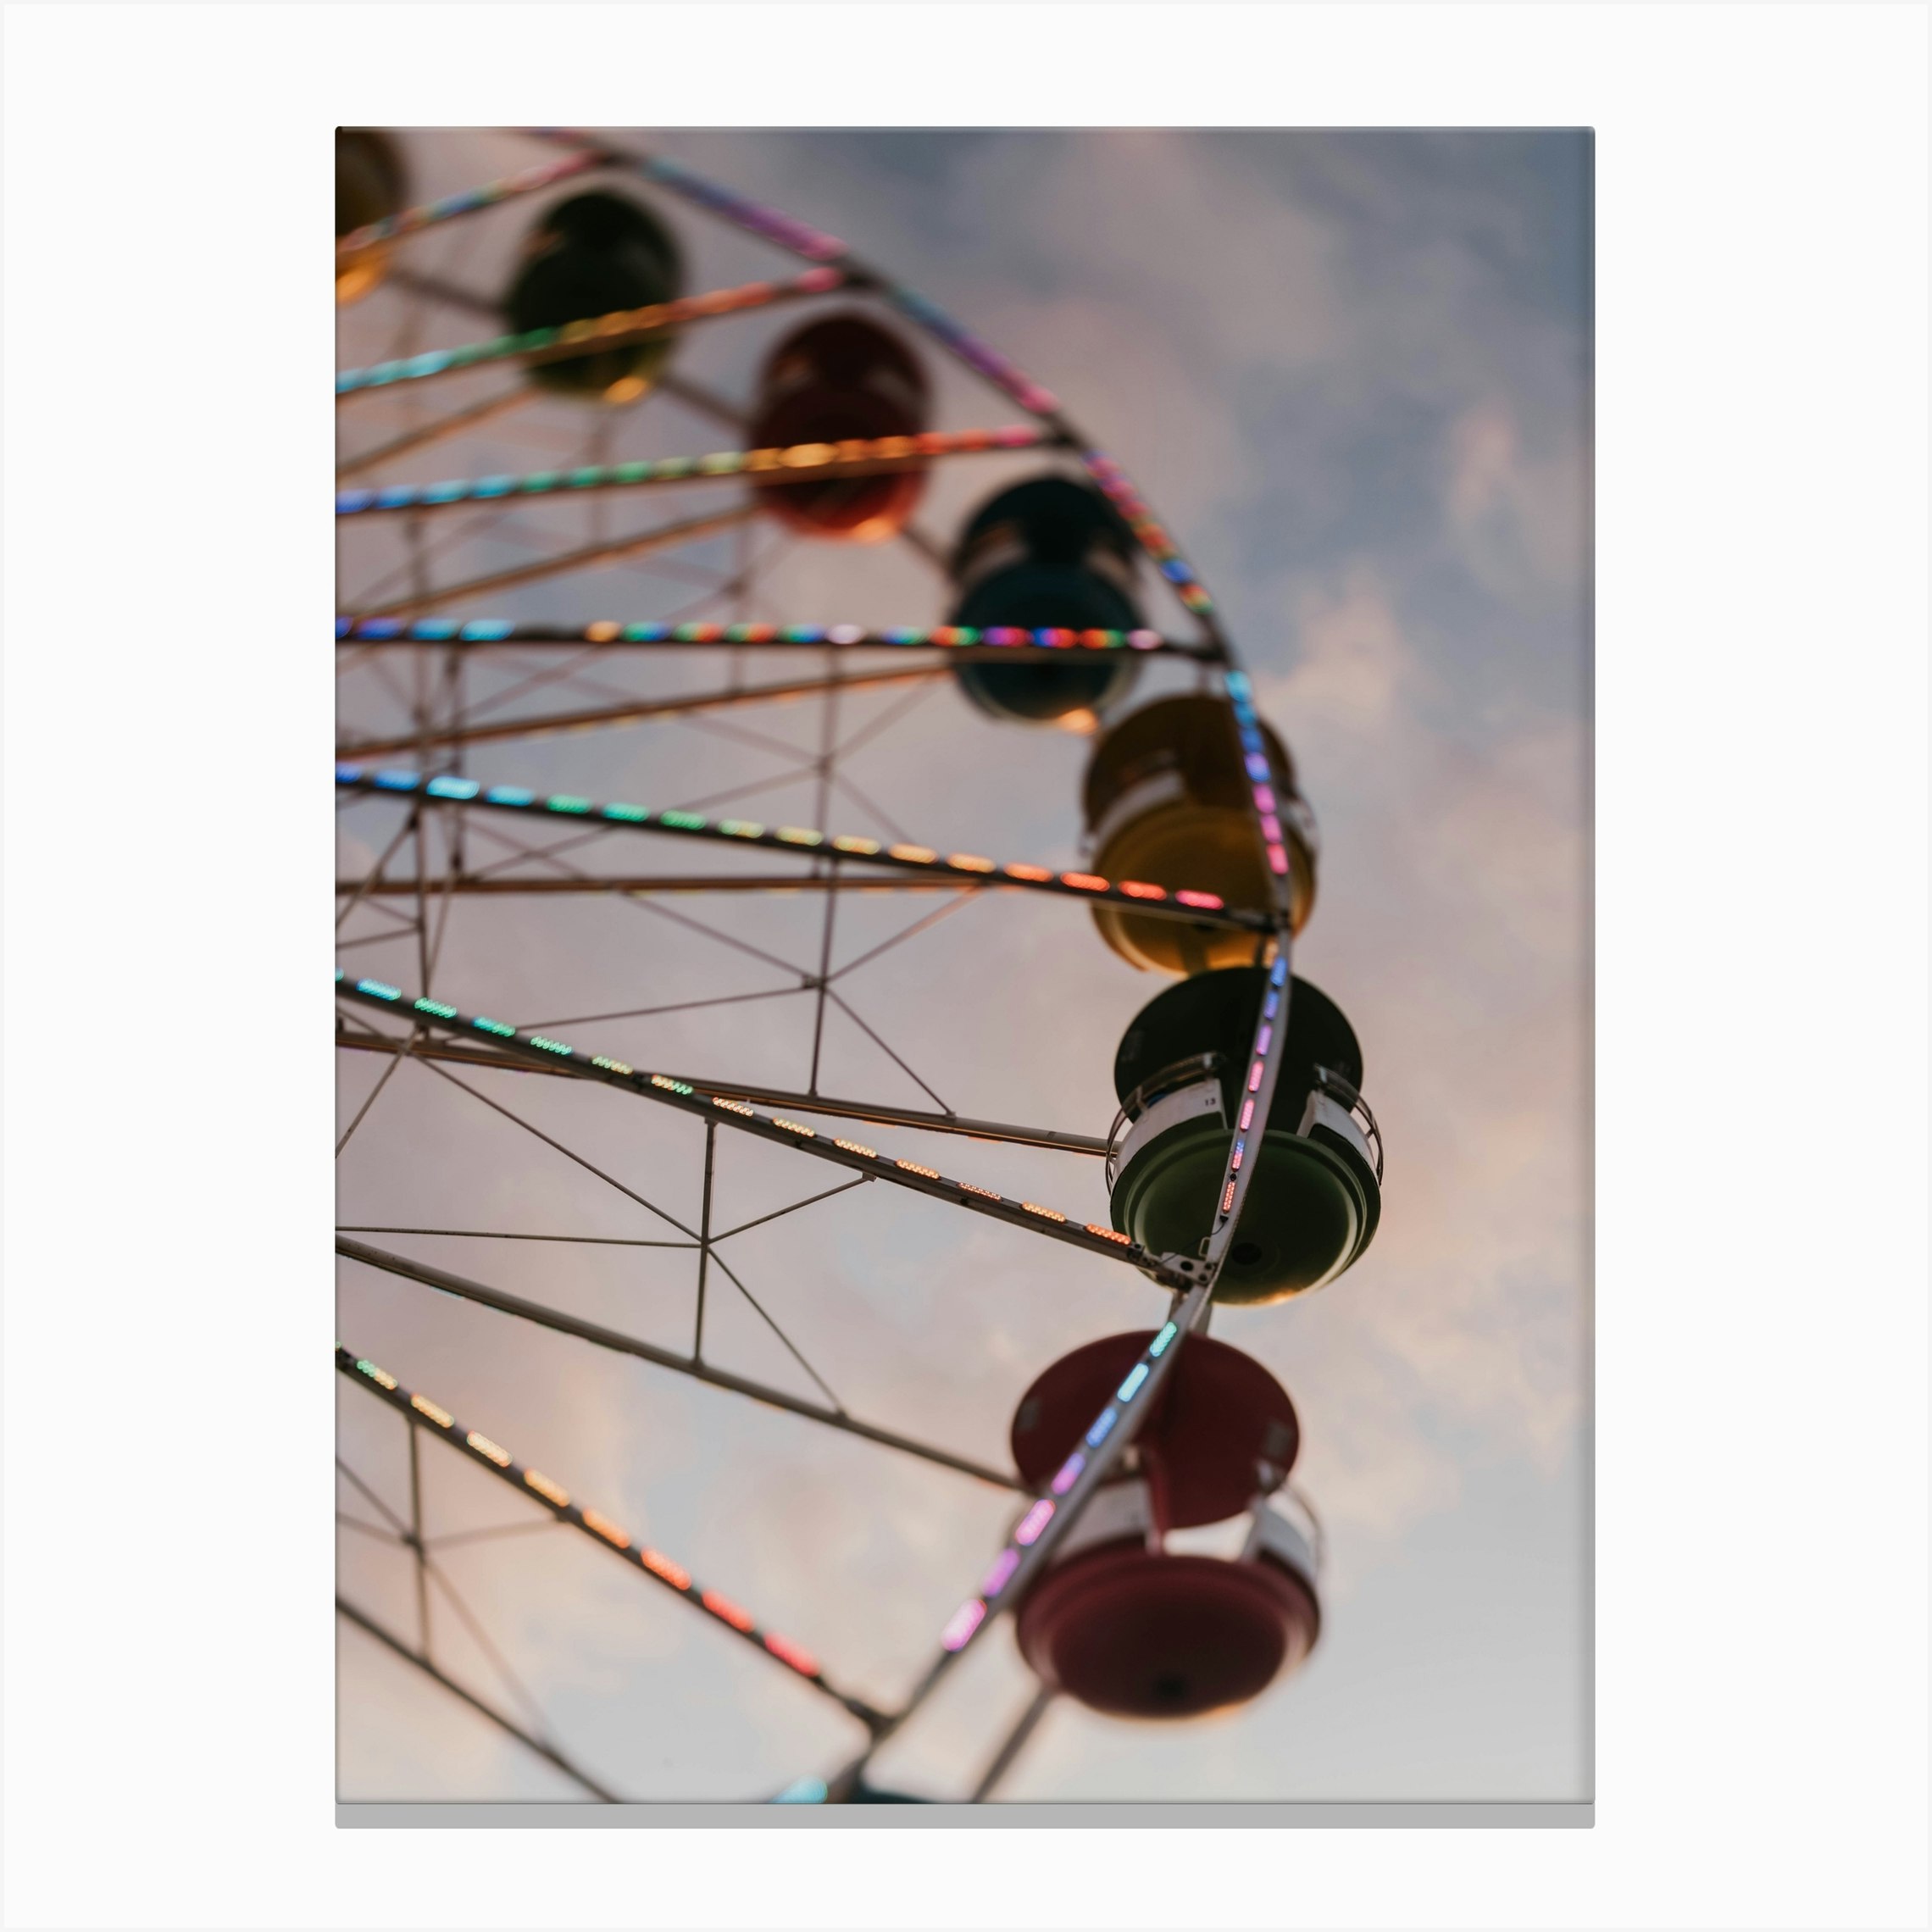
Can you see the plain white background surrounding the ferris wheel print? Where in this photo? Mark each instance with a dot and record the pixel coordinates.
(1761, 924)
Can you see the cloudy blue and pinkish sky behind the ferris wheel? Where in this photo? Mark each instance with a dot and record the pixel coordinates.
(1351, 372)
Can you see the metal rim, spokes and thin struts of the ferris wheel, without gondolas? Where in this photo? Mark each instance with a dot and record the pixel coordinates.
(445, 724)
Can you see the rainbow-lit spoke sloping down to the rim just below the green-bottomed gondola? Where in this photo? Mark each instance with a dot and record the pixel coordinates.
(805, 1139)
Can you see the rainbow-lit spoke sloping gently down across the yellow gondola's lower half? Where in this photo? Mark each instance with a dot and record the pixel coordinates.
(1135, 894)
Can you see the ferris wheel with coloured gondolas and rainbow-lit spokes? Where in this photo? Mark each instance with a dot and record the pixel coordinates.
(478, 708)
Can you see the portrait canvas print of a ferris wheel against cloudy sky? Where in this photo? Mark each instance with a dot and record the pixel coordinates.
(963, 982)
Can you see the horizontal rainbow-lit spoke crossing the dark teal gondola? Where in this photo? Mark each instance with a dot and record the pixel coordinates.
(772, 637)
